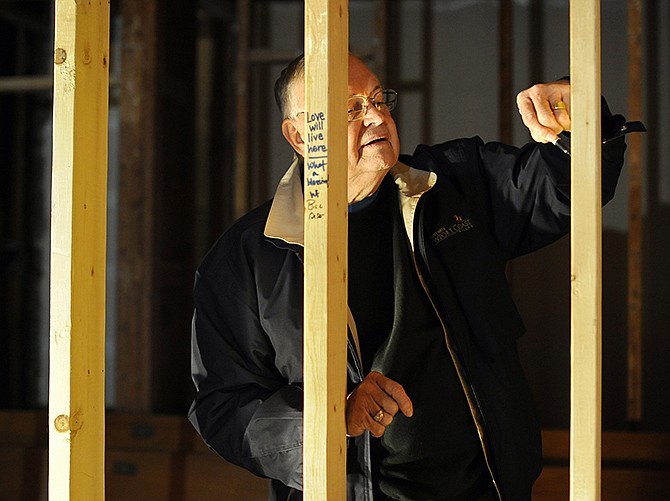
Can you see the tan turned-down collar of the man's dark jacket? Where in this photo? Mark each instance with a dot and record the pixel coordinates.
(285, 220)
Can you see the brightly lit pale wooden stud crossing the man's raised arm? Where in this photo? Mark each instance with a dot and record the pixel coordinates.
(586, 242)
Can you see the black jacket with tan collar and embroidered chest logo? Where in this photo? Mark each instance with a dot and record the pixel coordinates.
(475, 205)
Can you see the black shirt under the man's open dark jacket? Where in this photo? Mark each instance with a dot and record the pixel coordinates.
(436, 454)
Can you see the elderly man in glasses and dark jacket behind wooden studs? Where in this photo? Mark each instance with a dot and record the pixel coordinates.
(438, 407)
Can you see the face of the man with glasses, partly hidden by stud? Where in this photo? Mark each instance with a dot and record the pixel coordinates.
(373, 143)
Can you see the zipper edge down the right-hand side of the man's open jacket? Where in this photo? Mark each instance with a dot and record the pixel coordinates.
(473, 403)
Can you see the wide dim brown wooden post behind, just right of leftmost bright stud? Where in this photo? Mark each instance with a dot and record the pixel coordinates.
(137, 224)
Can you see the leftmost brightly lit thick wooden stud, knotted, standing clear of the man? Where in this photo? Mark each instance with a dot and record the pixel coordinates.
(78, 233)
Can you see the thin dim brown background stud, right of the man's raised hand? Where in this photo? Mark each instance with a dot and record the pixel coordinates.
(635, 216)
